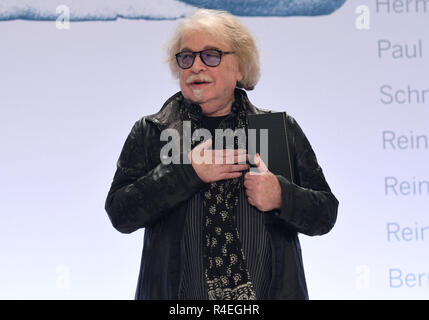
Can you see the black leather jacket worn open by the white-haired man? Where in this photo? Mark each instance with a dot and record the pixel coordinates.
(146, 193)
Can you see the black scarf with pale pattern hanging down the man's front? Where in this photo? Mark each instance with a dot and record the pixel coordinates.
(225, 270)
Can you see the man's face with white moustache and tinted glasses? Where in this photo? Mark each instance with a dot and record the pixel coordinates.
(216, 93)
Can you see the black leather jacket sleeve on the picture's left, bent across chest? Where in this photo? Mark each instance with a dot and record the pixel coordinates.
(140, 194)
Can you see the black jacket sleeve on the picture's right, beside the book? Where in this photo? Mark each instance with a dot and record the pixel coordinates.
(308, 205)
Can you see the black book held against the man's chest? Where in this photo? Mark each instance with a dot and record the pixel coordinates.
(270, 139)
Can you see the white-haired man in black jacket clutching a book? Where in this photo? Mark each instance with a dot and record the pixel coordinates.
(213, 230)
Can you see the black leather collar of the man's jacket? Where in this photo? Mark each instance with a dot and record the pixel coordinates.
(169, 114)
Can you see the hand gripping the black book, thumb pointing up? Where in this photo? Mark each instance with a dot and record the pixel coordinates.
(263, 189)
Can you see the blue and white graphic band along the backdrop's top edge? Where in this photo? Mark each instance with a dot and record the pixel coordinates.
(108, 10)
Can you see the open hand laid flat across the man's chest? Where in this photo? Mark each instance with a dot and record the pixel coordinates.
(214, 165)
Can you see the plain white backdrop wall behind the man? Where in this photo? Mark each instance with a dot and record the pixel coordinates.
(68, 99)
